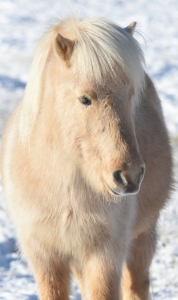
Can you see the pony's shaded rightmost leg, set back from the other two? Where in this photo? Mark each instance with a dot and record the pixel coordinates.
(136, 281)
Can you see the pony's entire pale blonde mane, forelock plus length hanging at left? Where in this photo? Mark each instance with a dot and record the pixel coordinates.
(100, 46)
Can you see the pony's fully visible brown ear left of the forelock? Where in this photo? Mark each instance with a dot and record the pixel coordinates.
(64, 47)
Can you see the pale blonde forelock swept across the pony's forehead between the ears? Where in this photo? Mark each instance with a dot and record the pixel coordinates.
(101, 45)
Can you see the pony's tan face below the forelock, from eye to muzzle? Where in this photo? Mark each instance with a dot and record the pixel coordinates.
(99, 135)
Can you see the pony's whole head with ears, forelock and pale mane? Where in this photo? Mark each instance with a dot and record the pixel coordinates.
(90, 79)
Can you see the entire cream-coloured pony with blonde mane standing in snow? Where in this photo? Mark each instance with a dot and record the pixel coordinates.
(86, 163)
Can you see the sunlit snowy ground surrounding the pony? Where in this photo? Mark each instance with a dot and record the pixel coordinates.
(22, 22)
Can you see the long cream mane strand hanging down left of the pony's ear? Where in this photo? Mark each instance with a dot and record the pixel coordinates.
(34, 90)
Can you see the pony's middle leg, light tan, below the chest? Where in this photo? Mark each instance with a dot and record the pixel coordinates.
(101, 279)
